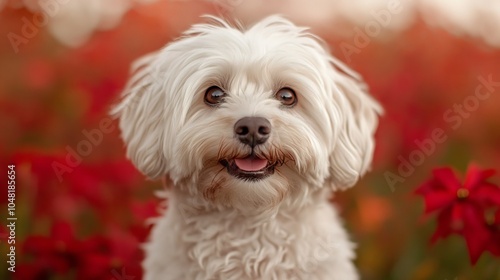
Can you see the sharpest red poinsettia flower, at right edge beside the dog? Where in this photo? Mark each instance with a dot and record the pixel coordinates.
(461, 207)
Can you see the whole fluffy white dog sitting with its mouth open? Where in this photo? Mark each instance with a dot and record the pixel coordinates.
(253, 130)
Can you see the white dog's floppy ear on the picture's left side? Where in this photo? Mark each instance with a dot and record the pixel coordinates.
(140, 120)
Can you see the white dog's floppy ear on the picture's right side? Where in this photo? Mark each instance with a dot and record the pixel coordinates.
(352, 153)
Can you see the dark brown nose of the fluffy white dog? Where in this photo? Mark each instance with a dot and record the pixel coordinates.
(252, 130)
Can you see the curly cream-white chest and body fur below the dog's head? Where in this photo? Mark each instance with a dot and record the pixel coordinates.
(305, 244)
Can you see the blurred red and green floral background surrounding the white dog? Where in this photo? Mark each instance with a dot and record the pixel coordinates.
(83, 210)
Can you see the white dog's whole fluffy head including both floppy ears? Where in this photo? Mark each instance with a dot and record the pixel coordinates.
(245, 118)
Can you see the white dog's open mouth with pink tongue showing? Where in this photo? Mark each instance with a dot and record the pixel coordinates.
(249, 168)
